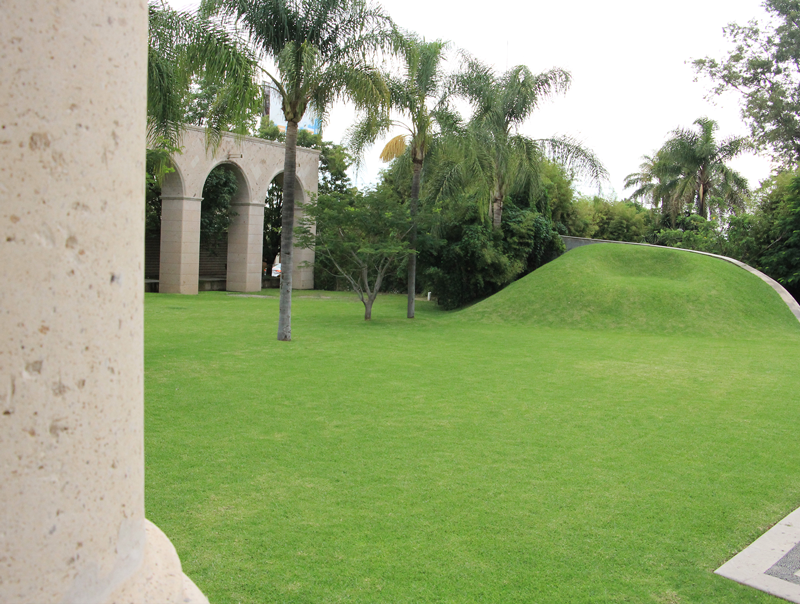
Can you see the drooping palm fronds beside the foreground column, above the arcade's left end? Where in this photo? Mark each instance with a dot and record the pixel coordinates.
(183, 46)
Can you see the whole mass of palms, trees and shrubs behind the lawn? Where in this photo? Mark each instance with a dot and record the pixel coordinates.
(466, 204)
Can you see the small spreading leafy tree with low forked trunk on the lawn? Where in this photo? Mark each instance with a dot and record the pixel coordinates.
(360, 237)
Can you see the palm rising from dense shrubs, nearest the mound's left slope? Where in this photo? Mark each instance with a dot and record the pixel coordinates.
(501, 104)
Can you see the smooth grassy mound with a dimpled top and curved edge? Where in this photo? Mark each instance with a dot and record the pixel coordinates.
(644, 289)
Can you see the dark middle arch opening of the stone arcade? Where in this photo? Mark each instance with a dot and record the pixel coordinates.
(216, 214)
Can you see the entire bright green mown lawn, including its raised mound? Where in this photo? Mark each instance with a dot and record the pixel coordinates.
(535, 448)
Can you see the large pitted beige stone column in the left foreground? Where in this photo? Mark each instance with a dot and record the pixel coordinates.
(72, 149)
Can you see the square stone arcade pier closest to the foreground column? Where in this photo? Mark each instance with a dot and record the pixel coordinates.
(179, 269)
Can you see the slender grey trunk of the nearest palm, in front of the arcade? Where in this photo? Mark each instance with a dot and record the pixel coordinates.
(287, 233)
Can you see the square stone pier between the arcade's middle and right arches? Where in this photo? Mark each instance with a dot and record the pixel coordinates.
(245, 246)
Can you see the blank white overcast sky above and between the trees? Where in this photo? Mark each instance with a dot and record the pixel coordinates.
(631, 84)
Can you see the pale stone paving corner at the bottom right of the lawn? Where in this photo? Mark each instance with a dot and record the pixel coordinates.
(749, 566)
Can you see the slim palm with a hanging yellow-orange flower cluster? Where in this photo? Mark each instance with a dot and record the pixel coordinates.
(422, 82)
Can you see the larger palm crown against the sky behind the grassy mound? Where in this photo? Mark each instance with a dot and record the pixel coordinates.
(704, 177)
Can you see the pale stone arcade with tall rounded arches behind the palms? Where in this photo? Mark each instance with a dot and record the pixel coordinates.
(255, 162)
